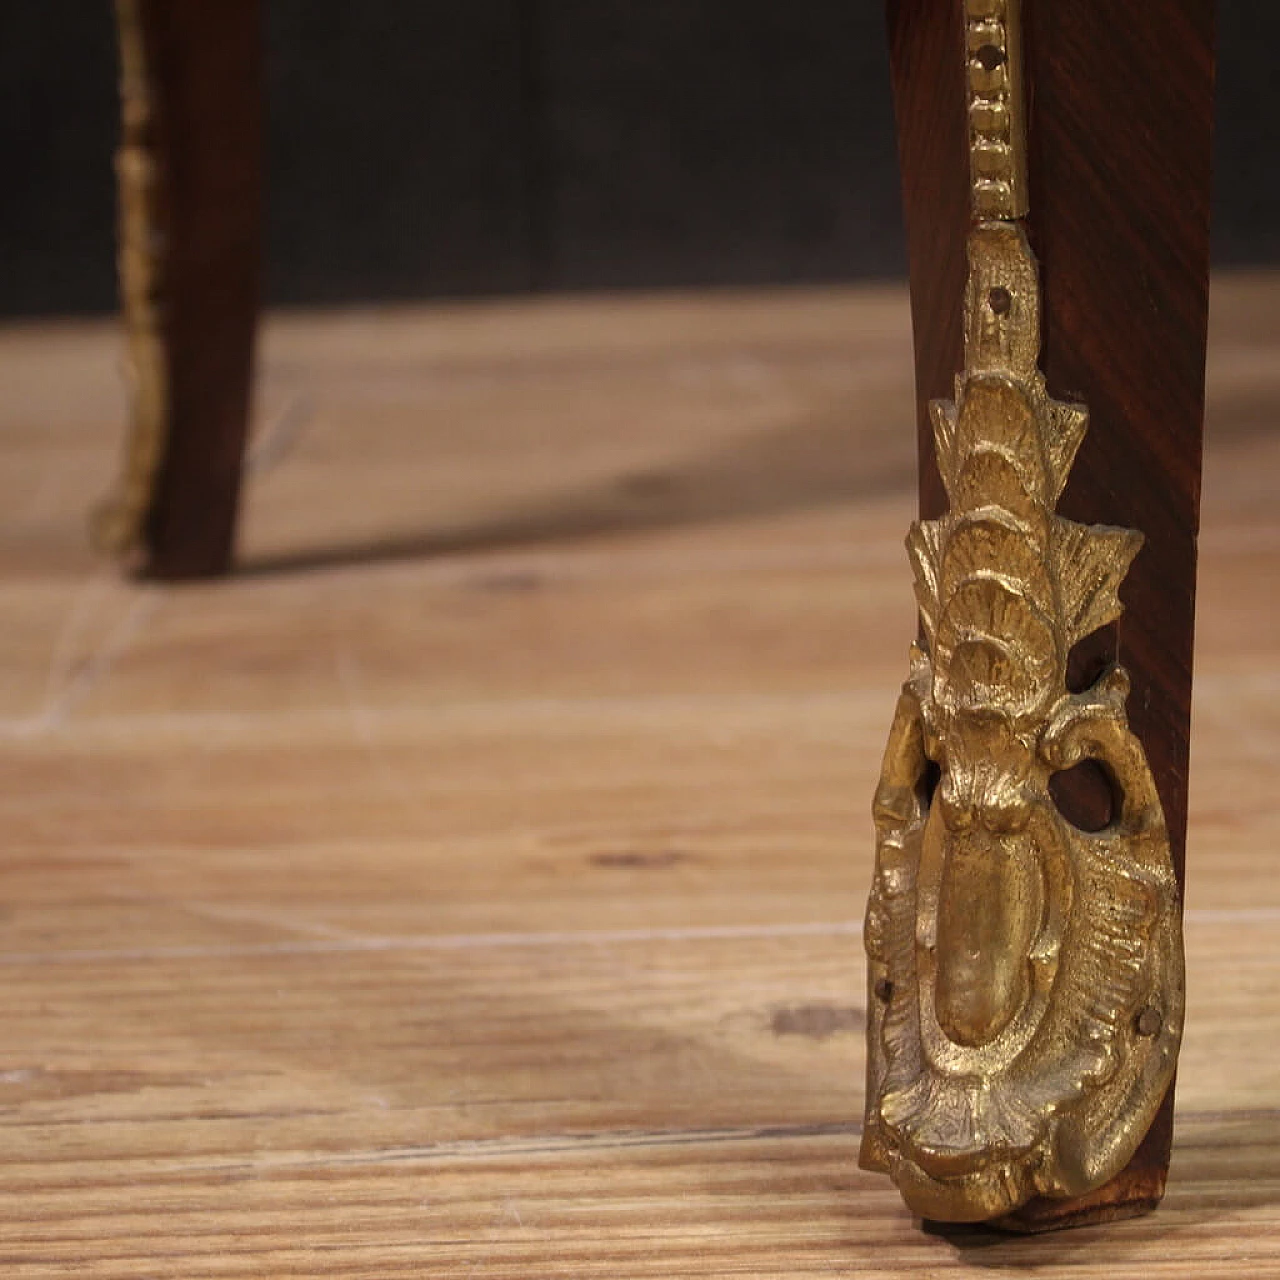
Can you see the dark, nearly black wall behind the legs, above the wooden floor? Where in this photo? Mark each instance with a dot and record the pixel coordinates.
(427, 148)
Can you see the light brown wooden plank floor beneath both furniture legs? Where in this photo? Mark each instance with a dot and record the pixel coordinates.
(472, 888)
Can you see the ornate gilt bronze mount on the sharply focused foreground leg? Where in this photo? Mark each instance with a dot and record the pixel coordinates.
(1025, 976)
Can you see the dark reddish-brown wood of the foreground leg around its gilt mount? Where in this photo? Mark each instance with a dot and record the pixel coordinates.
(1119, 109)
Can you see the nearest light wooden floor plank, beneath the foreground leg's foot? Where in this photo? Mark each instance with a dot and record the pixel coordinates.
(746, 1204)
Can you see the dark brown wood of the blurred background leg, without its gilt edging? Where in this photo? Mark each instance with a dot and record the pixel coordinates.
(207, 62)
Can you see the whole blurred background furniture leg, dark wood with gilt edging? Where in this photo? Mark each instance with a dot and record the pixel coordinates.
(190, 182)
